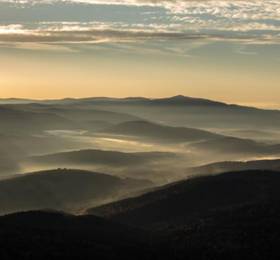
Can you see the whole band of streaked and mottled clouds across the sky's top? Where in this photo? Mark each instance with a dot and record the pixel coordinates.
(246, 22)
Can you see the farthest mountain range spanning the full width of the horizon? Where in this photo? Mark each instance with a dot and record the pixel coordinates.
(175, 111)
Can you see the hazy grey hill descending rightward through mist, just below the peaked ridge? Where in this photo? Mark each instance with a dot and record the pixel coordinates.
(197, 141)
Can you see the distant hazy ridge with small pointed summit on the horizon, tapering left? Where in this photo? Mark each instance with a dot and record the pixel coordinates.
(188, 111)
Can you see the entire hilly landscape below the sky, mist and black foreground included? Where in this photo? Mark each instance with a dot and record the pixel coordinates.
(177, 173)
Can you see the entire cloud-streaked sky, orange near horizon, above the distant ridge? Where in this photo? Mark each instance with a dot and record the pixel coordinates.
(226, 50)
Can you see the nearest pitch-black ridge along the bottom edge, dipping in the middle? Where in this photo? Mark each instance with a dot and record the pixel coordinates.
(248, 232)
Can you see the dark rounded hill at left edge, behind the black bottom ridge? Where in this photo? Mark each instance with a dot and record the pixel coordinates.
(63, 189)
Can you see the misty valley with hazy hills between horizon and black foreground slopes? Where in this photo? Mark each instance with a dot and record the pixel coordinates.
(143, 146)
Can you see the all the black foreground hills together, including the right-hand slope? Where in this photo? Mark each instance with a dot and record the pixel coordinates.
(230, 224)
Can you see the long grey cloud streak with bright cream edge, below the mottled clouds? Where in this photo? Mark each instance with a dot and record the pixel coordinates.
(103, 32)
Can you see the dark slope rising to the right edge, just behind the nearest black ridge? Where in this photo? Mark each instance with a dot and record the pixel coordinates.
(180, 203)
